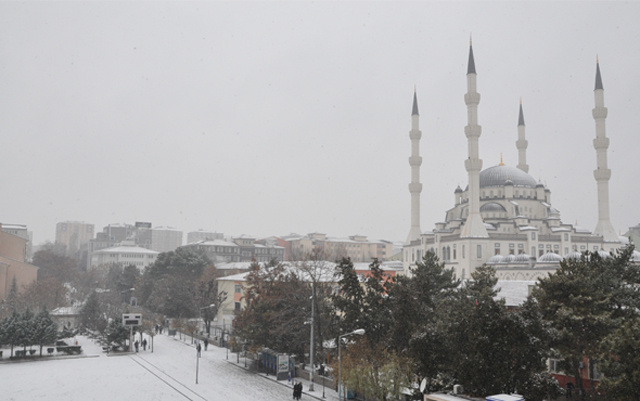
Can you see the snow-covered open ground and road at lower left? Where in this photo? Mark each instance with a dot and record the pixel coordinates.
(167, 373)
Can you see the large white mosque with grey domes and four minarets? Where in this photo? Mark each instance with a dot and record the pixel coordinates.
(504, 217)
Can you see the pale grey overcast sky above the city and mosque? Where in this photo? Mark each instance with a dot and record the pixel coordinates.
(270, 118)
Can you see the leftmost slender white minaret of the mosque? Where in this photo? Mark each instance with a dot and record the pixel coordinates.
(415, 187)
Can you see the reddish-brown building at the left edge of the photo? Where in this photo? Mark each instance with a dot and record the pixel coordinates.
(13, 265)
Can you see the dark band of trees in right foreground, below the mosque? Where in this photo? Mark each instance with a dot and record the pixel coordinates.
(431, 326)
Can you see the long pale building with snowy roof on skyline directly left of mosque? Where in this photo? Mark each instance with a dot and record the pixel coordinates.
(356, 247)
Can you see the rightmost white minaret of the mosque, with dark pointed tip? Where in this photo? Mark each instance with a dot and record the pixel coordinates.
(602, 173)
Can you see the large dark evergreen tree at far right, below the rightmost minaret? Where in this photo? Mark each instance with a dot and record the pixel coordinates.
(586, 300)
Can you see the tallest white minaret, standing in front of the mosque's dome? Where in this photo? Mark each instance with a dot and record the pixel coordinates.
(474, 226)
